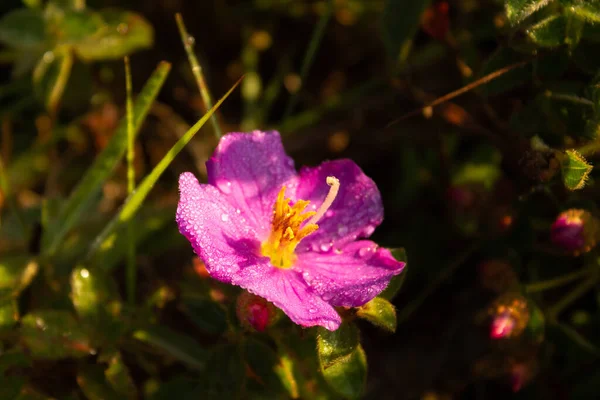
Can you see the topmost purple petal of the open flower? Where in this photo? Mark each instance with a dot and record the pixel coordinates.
(250, 169)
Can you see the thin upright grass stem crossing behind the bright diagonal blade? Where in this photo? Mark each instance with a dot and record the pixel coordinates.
(131, 265)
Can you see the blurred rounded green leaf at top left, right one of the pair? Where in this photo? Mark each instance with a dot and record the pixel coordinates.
(123, 33)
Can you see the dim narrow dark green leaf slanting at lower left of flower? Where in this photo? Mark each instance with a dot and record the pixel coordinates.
(174, 344)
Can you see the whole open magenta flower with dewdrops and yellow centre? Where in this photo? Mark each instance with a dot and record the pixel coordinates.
(290, 238)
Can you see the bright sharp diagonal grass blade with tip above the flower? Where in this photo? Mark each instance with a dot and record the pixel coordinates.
(133, 202)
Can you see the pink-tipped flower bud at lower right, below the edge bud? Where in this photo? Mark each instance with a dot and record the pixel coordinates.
(510, 316)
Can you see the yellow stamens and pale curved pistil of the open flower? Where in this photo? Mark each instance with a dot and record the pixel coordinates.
(289, 228)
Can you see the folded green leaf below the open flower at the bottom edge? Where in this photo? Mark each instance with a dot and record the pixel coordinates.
(342, 360)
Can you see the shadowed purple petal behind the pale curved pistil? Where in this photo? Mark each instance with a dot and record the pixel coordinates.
(355, 212)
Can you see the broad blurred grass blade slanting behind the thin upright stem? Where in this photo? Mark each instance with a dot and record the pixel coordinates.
(89, 185)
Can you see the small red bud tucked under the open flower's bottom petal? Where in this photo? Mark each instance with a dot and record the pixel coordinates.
(254, 312)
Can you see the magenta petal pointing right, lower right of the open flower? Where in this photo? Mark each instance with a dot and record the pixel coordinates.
(350, 276)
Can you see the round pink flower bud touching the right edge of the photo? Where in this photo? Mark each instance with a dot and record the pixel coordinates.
(575, 231)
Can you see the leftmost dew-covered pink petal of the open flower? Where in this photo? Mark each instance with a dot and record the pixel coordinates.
(219, 235)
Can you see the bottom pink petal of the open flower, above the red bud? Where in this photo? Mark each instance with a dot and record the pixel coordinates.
(287, 290)
